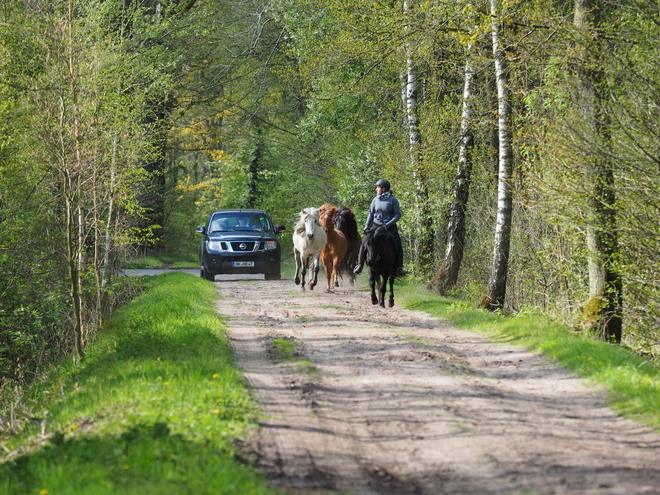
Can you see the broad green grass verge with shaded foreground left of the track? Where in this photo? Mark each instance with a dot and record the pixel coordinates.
(155, 407)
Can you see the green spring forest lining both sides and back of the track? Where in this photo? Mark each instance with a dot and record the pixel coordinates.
(521, 138)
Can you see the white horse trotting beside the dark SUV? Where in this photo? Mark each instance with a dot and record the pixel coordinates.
(308, 242)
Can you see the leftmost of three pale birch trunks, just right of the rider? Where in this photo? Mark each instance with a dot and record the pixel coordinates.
(424, 244)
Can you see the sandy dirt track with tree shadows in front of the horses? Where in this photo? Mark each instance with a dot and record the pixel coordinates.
(391, 401)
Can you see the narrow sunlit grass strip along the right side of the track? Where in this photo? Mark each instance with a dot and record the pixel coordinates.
(633, 384)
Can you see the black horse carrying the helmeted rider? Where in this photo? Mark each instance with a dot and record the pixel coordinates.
(381, 256)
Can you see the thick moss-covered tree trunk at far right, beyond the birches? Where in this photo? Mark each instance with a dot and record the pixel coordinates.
(604, 308)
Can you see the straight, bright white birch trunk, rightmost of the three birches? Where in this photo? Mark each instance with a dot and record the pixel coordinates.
(500, 267)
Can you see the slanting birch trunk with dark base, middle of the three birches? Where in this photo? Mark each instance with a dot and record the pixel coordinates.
(447, 276)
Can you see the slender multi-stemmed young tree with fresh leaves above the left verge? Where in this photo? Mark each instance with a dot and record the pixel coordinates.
(87, 132)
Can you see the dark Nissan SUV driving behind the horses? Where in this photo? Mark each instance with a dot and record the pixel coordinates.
(240, 241)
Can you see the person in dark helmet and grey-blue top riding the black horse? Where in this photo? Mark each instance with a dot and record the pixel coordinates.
(384, 210)
